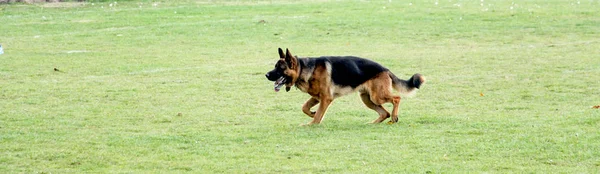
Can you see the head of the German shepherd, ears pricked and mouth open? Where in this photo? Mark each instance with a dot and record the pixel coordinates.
(285, 72)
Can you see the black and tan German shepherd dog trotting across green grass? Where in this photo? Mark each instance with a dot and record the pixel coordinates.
(328, 77)
